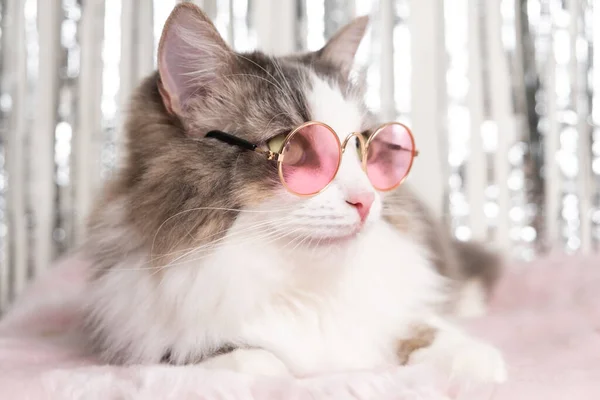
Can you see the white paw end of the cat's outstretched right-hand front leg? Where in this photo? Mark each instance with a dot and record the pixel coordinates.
(464, 359)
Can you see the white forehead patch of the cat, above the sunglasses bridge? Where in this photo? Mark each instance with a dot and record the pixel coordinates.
(327, 104)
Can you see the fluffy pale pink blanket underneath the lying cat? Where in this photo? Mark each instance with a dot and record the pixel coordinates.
(545, 317)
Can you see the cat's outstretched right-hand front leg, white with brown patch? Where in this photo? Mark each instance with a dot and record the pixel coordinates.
(457, 354)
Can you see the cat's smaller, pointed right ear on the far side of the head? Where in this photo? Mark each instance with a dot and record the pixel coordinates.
(341, 48)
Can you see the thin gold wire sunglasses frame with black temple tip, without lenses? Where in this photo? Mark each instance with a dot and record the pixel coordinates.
(279, 156)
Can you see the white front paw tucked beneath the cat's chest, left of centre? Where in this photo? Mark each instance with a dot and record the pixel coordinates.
(249, 361)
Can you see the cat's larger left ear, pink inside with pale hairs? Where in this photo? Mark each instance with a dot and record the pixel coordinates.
(191, 57)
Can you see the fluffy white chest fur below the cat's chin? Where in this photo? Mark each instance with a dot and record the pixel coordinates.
(317, 312)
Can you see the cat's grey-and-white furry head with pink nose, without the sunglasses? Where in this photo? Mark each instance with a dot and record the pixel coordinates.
(188, 187)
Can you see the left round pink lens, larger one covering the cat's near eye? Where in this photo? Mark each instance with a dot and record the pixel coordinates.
(310, 159)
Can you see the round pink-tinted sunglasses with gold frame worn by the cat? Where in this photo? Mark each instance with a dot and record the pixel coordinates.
(309, 157)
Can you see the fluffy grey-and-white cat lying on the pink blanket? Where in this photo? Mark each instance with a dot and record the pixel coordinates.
(200, 255)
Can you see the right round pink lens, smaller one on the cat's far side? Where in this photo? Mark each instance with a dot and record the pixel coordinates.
(389, 156)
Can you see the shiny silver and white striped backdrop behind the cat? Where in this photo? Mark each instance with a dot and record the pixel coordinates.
(500, 95)
